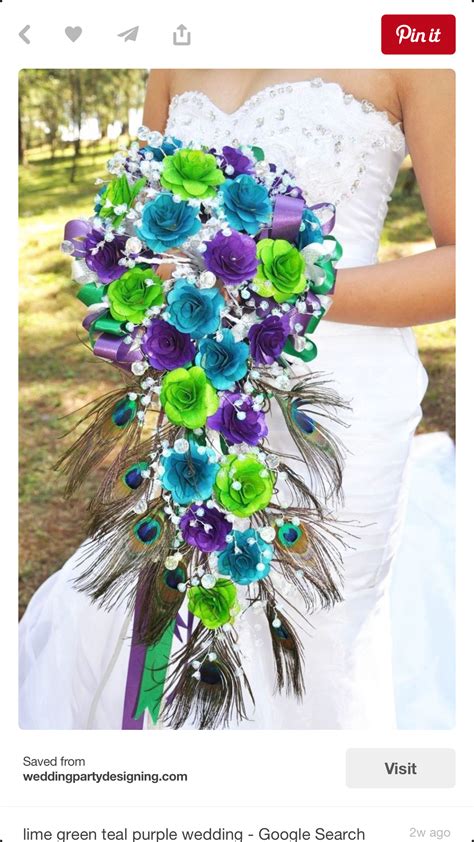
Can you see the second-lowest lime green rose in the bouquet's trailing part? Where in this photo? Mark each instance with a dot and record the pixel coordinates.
(243, 485)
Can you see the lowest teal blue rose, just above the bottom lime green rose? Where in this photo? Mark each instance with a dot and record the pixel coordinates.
(247, 559)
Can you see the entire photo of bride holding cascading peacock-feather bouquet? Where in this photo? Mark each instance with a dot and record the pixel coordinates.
(249, 534)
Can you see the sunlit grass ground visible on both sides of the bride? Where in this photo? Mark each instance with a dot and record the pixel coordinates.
(58, 374)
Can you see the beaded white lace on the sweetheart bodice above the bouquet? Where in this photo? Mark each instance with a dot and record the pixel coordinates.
(323, 135)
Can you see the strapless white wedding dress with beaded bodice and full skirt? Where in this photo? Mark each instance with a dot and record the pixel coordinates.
(74, 656)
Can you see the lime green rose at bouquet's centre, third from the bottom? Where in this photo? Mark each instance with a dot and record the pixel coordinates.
(187, 397)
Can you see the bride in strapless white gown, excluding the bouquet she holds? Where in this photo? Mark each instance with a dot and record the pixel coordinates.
(344, 135)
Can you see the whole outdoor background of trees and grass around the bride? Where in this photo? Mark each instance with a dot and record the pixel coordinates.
(57, 373)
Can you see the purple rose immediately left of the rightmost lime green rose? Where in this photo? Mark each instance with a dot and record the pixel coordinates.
(234, 258)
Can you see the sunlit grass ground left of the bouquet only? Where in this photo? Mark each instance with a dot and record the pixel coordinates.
(58, 374)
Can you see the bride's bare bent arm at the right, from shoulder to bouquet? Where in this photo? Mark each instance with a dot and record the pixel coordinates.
(418, 289)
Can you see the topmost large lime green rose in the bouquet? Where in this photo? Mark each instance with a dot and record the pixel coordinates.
(191, 174)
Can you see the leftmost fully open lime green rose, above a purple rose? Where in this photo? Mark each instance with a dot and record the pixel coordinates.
(133, 294)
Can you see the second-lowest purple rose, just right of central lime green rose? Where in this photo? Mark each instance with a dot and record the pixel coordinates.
(238, 420)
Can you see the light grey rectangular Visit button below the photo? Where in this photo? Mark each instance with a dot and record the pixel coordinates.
(414, 768)
